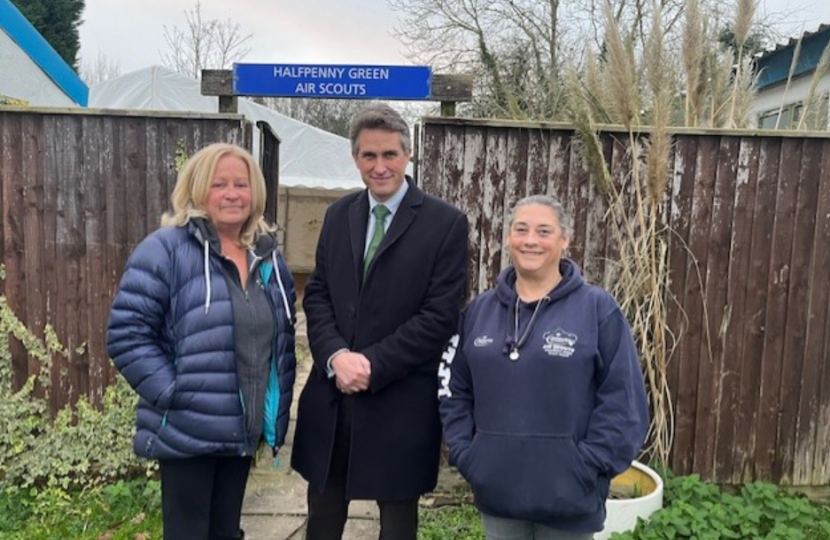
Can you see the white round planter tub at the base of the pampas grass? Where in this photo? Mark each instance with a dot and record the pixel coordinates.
(623, 513)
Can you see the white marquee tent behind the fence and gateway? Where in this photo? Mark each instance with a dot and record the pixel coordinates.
(309, 157)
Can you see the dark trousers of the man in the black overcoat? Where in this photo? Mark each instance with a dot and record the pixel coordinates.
(328, 509)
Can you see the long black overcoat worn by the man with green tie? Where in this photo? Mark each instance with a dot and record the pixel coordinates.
(400, 318)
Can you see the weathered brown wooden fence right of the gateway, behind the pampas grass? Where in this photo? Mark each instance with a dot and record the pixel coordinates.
(749, 263)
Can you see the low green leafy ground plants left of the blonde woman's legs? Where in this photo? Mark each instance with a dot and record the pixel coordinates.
(119, 511)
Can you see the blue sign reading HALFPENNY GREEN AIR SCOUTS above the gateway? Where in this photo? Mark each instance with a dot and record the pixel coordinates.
(332, 81)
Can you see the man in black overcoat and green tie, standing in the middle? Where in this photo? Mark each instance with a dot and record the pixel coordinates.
(381, 304)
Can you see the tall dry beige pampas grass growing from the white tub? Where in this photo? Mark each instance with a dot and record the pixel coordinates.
(639, 229)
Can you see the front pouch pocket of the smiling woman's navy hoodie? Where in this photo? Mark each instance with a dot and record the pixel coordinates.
(530, 477)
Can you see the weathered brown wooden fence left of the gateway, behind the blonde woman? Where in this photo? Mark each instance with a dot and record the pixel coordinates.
(79, 189)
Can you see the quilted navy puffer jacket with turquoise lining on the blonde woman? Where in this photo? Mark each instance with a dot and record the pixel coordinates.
(171, 335)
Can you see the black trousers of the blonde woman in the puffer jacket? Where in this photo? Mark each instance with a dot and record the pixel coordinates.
(201, 497)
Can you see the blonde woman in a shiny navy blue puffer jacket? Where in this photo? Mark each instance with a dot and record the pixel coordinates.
(202, 327)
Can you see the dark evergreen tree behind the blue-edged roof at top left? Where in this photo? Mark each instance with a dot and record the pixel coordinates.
(58, 22)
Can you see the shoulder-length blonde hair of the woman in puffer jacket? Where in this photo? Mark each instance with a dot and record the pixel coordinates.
(192, 187)
